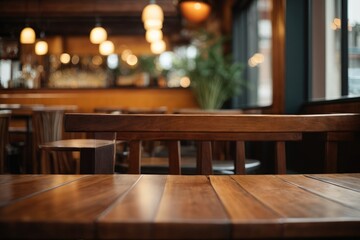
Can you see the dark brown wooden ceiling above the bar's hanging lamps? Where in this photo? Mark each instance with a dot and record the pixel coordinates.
(78, 17)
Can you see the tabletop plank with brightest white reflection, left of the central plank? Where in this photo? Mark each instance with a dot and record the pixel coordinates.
(133, 215)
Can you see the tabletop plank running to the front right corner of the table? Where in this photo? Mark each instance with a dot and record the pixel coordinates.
(301, 209)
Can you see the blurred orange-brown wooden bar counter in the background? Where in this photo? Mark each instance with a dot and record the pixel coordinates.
(89, 99)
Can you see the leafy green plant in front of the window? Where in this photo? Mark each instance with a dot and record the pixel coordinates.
(215, 77)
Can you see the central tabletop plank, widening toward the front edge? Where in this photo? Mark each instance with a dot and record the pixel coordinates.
(190, 209)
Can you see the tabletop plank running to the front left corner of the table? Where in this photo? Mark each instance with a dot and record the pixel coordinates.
(68, 211)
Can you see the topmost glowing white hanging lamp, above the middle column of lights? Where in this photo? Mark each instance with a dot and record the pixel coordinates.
(152, 16)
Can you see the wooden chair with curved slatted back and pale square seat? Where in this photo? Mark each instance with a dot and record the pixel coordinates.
(97, 155)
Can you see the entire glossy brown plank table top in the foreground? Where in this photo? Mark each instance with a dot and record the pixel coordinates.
(179, 207)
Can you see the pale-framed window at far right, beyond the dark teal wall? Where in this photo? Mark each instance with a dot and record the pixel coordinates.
(335, 51)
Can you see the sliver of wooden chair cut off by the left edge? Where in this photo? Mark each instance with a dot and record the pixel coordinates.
(4, 137)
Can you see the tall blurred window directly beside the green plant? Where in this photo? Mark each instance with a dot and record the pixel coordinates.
(252, 46)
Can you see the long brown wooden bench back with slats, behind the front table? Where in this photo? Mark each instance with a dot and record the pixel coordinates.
(205, 128)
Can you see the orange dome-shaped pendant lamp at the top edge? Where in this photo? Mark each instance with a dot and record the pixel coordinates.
(195, 11)
